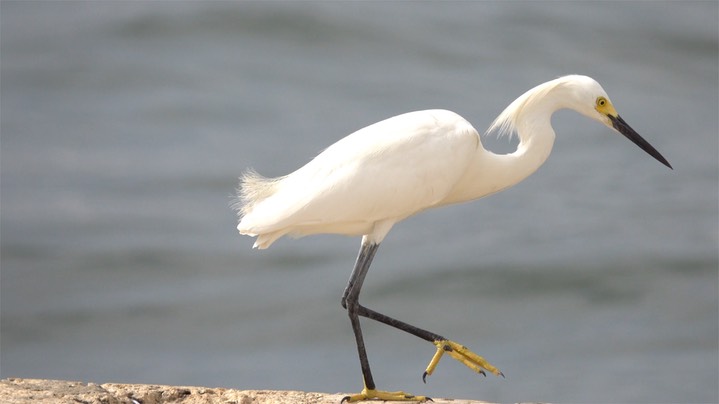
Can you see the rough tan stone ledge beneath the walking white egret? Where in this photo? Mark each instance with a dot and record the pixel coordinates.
(25, 391)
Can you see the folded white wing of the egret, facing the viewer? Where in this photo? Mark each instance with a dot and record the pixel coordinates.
(389, 170)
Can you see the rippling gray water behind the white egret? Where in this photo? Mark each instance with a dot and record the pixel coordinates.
(125, 125)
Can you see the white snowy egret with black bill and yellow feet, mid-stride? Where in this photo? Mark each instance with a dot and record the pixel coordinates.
(379, 175)
